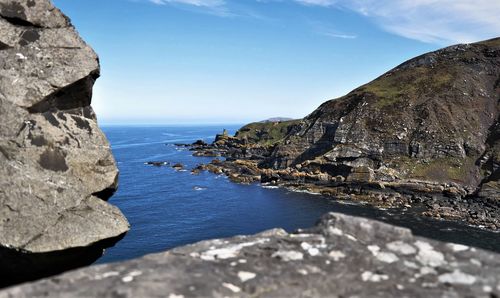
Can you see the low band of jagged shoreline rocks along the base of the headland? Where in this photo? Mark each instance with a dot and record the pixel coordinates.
(440, 201)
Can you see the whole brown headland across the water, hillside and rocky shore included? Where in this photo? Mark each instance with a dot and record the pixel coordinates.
(424, 133)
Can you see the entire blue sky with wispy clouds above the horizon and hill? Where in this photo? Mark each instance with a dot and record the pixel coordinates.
(224, 61)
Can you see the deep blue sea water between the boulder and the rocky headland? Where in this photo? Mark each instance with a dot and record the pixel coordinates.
(168, 208)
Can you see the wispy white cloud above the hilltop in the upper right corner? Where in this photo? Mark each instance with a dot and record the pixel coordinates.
(434, 21)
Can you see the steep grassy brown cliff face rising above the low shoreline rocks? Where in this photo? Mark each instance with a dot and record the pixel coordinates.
(431, 118)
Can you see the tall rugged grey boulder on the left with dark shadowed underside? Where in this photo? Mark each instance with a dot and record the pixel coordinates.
(56, 168)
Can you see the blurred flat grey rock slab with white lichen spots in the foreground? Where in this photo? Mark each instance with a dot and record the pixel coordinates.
(342, 256)
